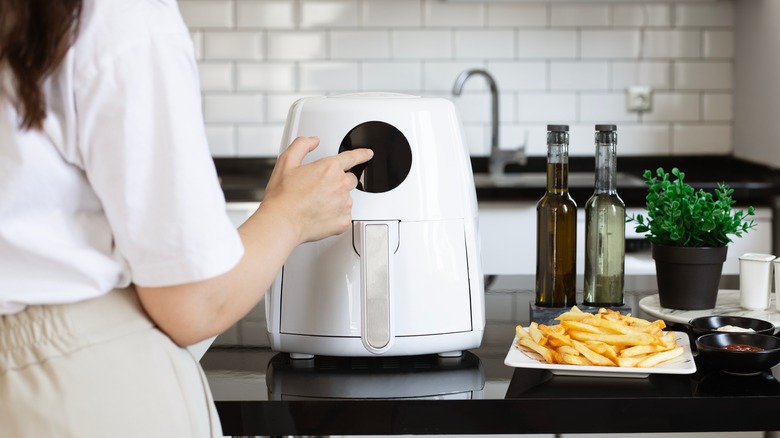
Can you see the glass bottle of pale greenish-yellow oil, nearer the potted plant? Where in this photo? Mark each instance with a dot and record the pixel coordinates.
(605, 228)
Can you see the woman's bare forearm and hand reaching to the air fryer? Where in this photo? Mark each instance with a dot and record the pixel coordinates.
(302, 203)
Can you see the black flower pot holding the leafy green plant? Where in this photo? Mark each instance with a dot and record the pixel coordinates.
(688, 278)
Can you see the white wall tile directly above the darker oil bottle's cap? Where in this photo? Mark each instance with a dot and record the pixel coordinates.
(547, 108)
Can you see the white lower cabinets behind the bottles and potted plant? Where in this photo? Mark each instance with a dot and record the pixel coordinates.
(508, 240)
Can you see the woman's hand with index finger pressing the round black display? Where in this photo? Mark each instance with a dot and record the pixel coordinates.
(315, 197)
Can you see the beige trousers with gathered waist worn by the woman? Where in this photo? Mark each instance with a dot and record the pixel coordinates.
(98, 368)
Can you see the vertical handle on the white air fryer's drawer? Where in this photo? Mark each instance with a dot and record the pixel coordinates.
(375, 242)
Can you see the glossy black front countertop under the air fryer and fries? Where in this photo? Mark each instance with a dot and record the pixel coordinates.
(260, 392)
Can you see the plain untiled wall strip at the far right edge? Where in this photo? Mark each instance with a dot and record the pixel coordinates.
(758, 82)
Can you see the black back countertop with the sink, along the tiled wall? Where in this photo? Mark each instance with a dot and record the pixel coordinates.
(244, 179)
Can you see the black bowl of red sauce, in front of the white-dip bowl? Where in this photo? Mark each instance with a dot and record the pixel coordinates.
(712, 350)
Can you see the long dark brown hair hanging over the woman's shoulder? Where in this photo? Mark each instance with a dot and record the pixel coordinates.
(35, 35)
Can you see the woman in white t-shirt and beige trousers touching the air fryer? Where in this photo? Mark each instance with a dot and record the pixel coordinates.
(115, 248)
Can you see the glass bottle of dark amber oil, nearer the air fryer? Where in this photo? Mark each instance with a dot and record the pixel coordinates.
(556, 227)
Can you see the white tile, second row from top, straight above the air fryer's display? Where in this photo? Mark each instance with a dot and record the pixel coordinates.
(359, 44)
